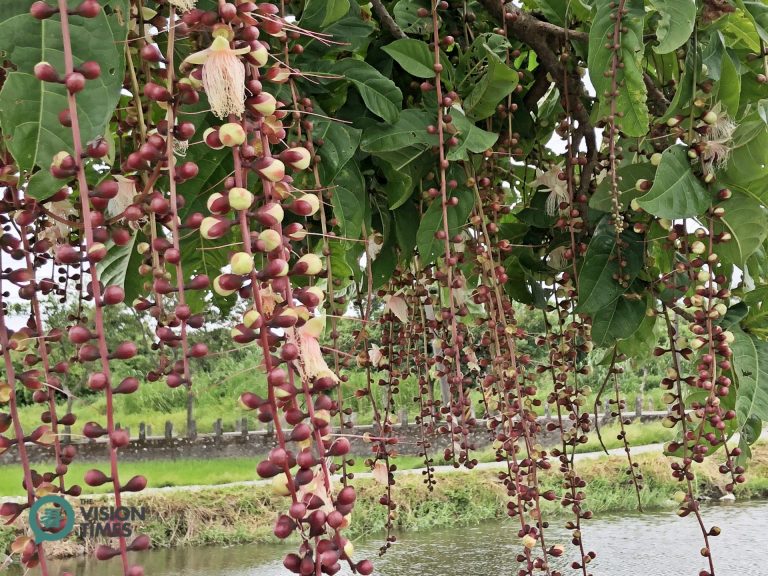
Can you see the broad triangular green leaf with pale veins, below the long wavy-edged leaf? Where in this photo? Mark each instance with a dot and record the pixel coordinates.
(676, 192)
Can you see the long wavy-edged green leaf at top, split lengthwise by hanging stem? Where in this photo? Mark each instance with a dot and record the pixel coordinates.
(631, 101)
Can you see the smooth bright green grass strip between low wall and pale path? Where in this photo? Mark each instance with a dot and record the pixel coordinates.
(192, 472)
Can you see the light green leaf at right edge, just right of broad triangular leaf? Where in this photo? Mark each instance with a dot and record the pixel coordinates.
(747, 221)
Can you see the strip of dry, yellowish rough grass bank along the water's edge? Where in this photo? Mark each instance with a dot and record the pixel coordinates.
(238, 515)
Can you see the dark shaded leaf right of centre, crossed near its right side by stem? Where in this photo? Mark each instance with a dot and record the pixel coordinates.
(597, 287)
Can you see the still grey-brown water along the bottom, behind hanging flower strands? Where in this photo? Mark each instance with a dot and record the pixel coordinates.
(659, 544)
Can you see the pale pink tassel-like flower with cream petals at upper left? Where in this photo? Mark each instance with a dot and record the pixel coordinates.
(223, 76)
